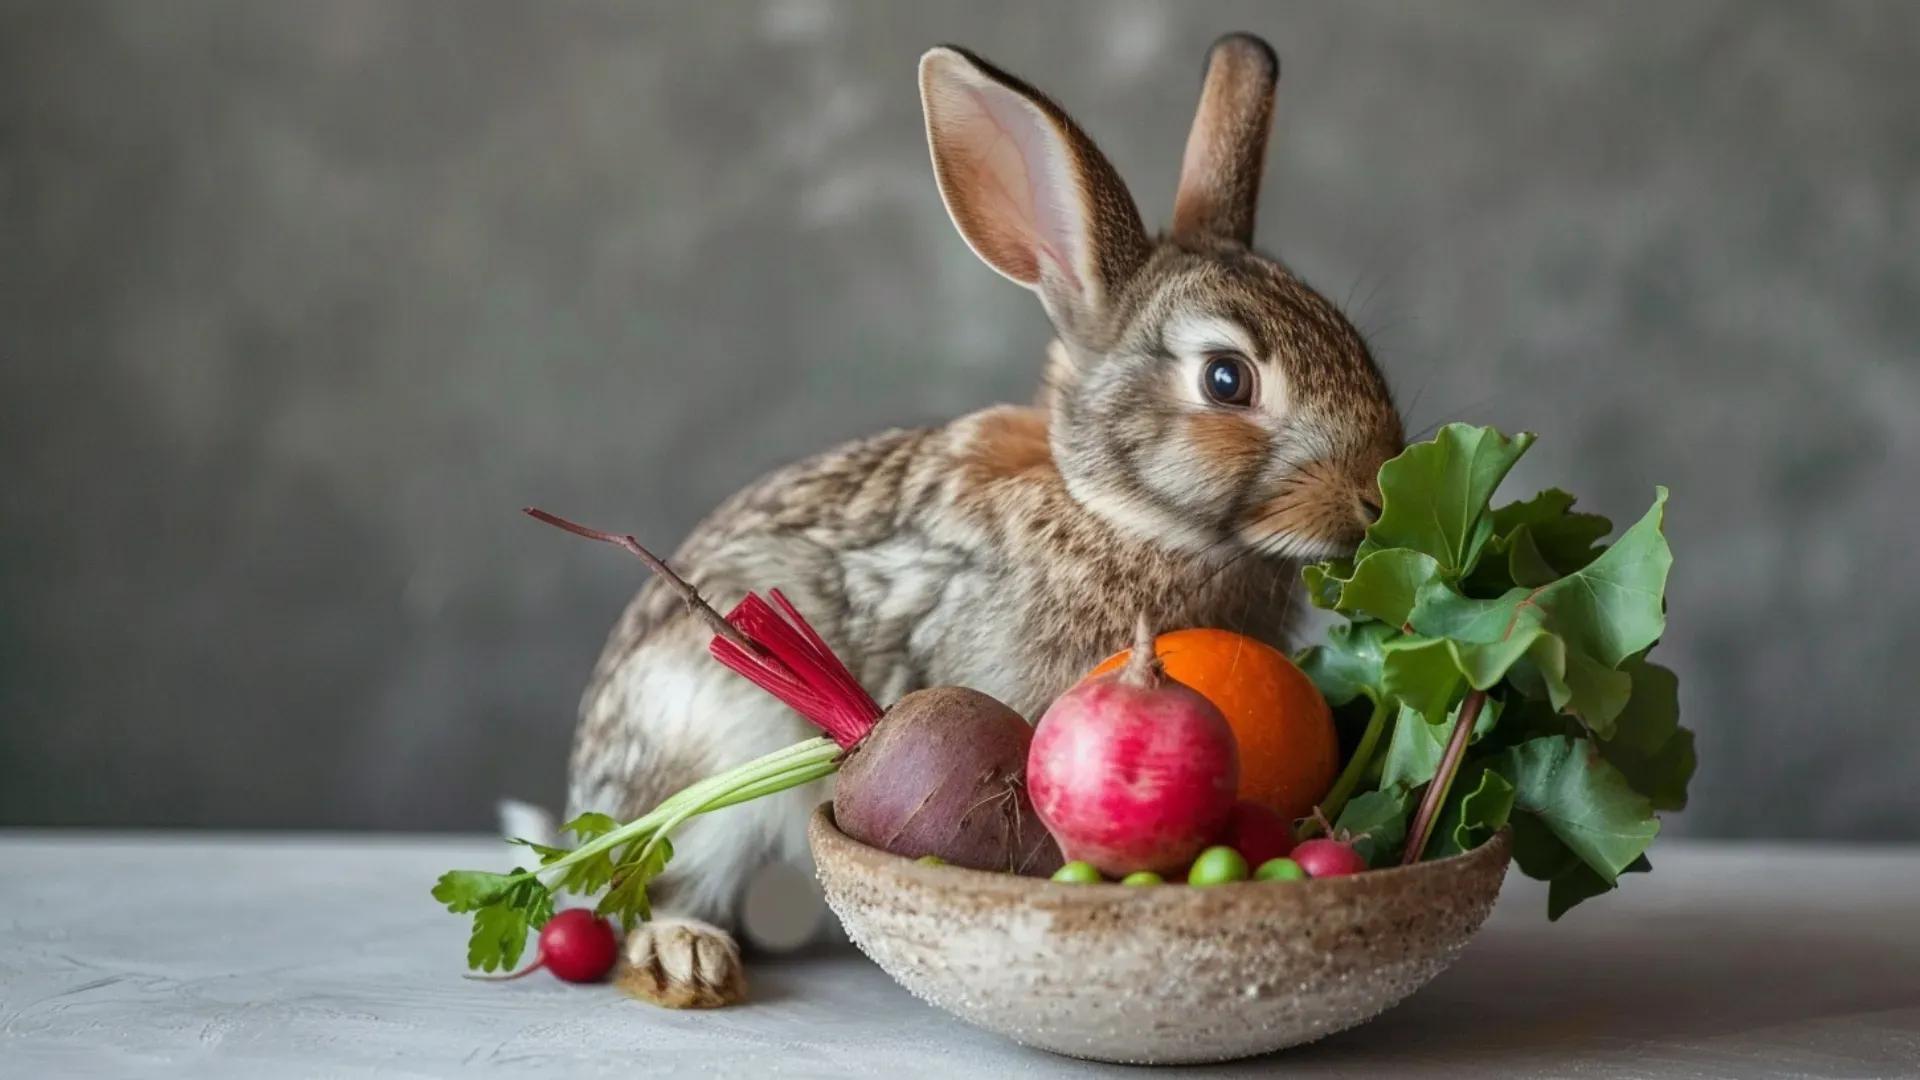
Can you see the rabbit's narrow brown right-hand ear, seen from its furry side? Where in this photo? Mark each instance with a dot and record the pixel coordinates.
(1228, 145)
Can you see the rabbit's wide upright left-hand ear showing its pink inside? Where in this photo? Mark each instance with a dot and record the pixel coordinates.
(1028, 191)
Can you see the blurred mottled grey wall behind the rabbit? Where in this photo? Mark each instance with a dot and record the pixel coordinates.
(302, 301)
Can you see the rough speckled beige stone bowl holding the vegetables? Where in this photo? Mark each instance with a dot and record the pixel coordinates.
(1161, 973)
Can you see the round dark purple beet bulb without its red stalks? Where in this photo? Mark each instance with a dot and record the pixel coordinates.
(944, 773)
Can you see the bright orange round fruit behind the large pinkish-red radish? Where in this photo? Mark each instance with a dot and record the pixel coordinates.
(1289, 752)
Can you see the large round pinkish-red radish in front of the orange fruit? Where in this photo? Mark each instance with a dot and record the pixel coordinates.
(1134, 772)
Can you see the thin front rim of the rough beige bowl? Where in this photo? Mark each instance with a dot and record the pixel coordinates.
(825, 831)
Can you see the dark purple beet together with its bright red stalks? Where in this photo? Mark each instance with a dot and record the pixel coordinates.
(940, 773)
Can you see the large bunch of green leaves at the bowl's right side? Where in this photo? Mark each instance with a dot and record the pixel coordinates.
(1524, 620)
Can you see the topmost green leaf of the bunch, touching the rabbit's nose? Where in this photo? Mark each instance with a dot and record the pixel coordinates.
(1433, 497)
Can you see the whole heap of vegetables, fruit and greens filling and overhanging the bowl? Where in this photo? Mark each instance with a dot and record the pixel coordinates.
(1491, 674)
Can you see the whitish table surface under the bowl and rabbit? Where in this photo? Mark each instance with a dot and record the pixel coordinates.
(324, 956)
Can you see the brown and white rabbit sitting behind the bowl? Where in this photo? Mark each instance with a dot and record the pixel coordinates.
(1207, 424)
